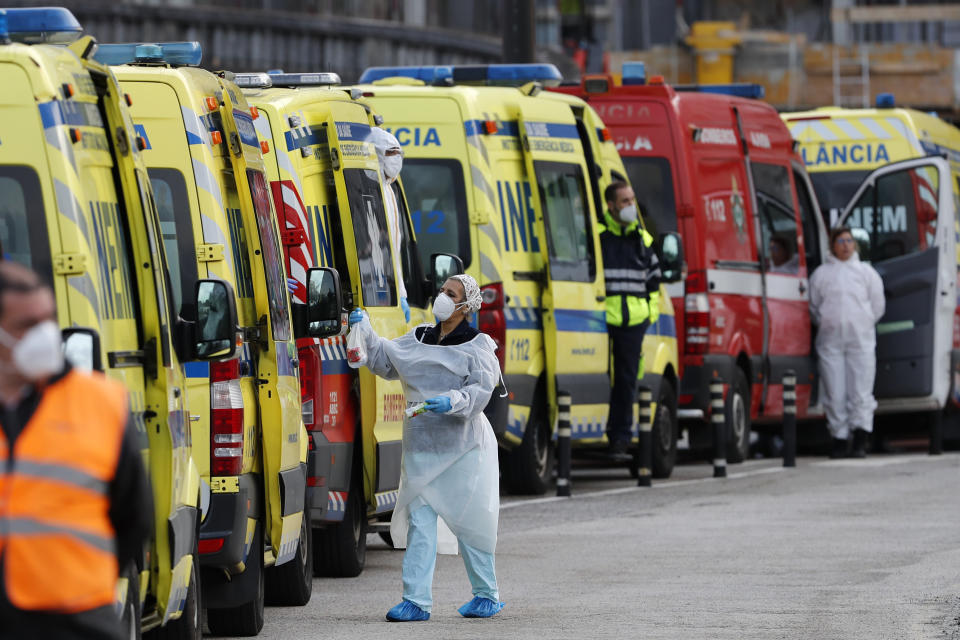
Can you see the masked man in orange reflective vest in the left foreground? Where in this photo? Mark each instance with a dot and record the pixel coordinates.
(75, 503)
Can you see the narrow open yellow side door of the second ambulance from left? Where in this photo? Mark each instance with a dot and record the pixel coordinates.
(279, 389)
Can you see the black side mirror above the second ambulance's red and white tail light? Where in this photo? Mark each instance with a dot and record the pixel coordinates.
(216, 327)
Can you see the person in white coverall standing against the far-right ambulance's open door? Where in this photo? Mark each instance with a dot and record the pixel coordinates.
(846, 301)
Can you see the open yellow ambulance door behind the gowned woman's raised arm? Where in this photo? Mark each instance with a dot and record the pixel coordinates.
(359, 187)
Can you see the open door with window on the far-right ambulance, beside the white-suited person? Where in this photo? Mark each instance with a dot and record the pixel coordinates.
(902, 217)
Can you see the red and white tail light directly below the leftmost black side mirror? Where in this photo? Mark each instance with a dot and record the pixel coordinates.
(226, 419)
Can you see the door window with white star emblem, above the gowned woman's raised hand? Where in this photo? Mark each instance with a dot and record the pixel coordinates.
(377, 285)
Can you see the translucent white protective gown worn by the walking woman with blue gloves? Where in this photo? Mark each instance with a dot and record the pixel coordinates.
(449, 459)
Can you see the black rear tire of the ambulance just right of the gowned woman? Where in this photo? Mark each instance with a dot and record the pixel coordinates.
(529, 467)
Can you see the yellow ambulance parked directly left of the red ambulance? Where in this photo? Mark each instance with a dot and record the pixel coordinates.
(511, 180)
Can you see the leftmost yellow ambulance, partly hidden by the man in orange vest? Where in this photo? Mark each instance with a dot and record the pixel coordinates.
(76, 206)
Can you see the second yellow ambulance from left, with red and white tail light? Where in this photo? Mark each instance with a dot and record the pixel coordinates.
(206, 166)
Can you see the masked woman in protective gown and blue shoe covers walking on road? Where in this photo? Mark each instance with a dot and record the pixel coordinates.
(449, 468)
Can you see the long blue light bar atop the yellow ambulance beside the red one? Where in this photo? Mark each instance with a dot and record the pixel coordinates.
(510, 75)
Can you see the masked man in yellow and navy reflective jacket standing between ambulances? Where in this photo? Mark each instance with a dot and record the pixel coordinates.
(632, 275)
